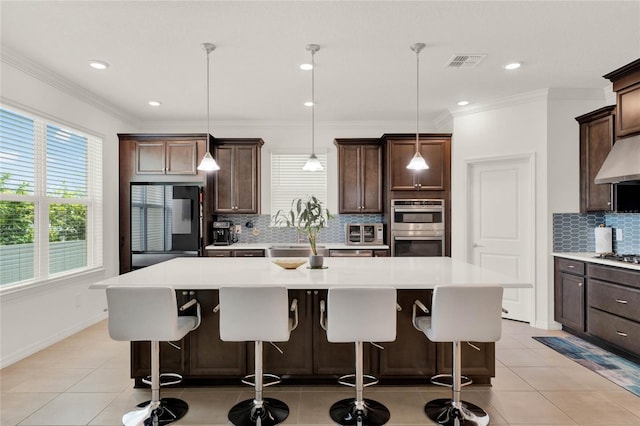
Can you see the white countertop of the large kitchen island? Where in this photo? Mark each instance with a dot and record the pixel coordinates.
(201, 273)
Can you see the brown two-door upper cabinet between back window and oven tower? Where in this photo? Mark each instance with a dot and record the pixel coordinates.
(359, 175)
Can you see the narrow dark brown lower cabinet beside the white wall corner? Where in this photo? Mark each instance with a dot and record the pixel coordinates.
(570, 291)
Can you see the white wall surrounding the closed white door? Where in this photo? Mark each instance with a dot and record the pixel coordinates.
(541, 123)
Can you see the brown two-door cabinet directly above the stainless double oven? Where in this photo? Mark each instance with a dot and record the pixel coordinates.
(436, 150)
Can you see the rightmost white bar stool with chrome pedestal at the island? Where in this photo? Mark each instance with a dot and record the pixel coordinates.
(459, 314)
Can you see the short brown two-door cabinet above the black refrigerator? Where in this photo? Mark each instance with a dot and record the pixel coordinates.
(166, 157)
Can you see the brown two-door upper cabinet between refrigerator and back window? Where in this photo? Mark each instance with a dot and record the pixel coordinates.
(237, 183)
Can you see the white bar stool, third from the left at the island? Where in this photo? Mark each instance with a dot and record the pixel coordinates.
(359, 315)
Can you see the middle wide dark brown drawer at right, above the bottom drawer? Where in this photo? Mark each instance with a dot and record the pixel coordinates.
(619, 300)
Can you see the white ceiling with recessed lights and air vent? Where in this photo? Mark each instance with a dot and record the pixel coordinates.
(365, 71)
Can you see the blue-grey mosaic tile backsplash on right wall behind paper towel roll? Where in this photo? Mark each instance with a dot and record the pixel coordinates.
(573, 232)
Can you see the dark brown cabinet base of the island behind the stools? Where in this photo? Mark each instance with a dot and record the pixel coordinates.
(308, 357)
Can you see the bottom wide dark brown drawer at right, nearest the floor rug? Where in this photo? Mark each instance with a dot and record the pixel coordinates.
(618, 331)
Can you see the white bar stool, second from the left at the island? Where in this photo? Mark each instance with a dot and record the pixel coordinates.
(257, 314)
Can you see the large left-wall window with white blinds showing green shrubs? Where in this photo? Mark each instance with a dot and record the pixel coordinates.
(50, 199)
